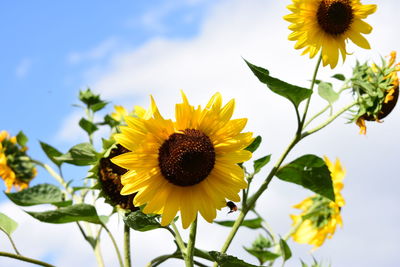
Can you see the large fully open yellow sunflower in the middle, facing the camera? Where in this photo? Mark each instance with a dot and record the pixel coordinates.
(190, 165)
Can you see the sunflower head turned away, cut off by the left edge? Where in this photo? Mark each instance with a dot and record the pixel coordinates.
(16, 167)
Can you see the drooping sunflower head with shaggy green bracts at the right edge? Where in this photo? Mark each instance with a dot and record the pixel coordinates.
(377, 90)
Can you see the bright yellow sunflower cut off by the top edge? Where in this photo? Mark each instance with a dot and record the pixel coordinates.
(326, 25)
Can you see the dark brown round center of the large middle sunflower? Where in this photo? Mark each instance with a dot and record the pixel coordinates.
(186, 158)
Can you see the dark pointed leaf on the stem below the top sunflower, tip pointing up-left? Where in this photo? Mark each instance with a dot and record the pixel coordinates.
(293, 93)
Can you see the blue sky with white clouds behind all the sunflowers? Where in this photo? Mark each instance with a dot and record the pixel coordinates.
(127, 50)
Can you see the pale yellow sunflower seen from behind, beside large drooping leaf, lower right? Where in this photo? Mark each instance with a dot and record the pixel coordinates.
(320, 216)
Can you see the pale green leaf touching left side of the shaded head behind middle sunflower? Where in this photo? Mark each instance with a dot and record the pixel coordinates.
(81, 155)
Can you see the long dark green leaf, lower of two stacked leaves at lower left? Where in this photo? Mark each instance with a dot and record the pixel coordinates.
(74, 213)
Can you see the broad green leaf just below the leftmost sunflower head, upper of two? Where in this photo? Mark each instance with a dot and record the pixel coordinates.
(39, 194)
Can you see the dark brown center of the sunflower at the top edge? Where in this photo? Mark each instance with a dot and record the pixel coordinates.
(335, 17)
